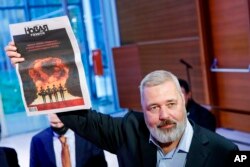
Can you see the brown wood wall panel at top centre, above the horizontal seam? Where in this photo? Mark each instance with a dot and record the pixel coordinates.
(142, 21)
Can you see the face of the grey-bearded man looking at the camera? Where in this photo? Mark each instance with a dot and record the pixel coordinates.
(164, 112)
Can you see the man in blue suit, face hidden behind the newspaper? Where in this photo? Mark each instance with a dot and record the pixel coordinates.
(46, 148)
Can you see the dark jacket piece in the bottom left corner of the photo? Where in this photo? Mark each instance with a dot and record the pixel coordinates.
(8, 157)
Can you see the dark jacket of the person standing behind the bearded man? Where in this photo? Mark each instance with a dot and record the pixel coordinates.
(201, 115)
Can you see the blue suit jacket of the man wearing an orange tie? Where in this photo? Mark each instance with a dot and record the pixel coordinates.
(42, 152)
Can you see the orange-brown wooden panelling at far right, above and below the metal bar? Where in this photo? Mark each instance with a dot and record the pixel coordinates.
(230, 43)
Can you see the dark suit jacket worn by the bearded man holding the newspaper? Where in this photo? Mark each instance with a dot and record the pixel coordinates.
(128, 137)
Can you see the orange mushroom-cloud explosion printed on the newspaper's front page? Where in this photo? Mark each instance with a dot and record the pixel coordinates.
(48, 73)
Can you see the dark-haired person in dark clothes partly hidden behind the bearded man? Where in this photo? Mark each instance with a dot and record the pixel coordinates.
(195, 111)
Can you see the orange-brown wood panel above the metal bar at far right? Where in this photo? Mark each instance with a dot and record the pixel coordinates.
(230, 32)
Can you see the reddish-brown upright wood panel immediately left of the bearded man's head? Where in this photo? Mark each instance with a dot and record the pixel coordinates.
(128, 76)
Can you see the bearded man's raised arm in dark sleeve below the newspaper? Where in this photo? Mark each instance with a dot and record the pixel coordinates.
(102, 130)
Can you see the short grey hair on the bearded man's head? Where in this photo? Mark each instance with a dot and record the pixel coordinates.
(158, 77)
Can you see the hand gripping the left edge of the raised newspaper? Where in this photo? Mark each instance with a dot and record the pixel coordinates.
(11, 52)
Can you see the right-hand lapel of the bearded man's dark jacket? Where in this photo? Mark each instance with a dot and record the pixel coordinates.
(198, 152)
